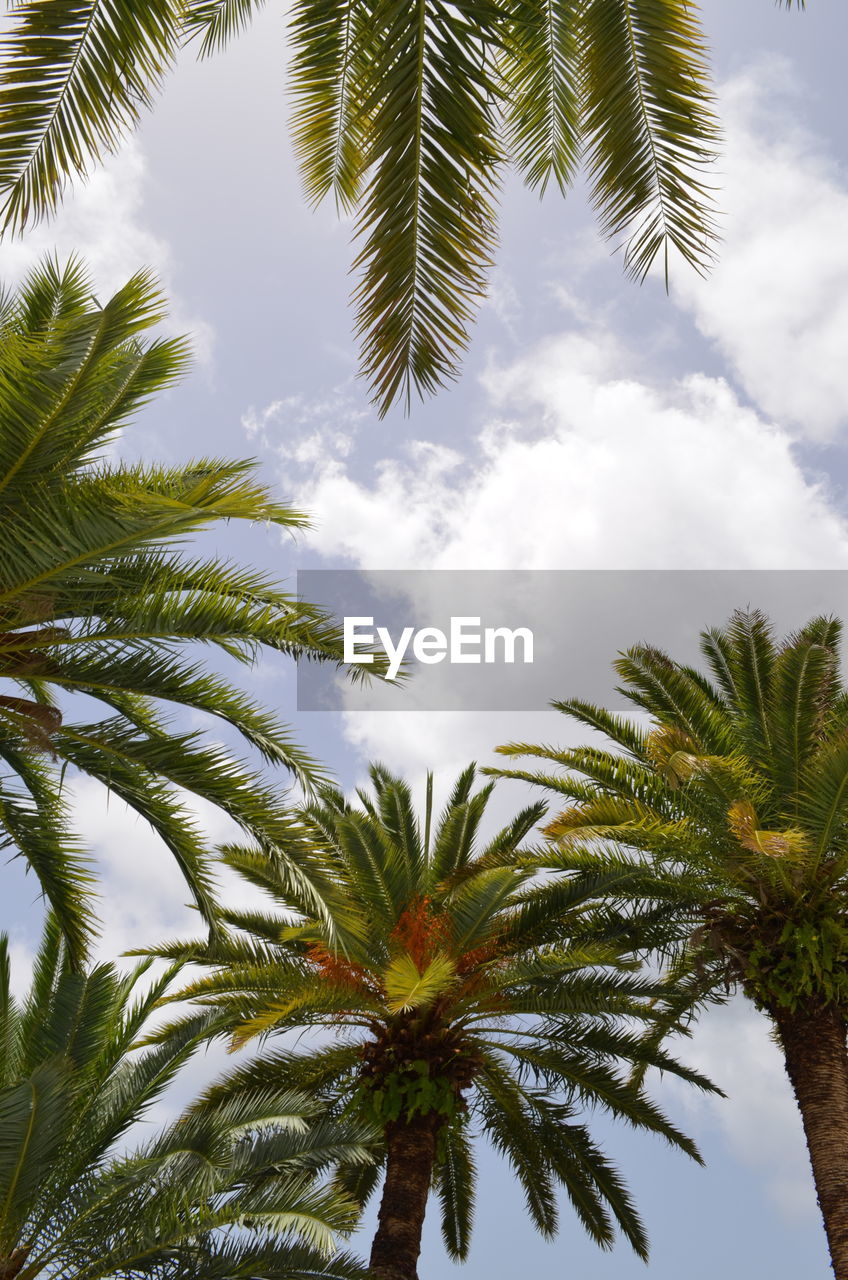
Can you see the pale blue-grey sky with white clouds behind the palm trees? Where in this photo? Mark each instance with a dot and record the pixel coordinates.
(596, 427)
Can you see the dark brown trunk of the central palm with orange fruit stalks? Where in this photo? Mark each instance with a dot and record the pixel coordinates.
(409, 1171)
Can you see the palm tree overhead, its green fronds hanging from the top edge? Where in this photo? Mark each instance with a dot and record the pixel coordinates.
(409, 115)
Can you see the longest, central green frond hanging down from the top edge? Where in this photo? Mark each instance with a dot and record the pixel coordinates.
(426, 225)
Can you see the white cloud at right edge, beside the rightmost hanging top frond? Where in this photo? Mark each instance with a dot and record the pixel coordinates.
(777, 304)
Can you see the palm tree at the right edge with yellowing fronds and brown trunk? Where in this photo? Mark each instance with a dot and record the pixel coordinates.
(719, 831)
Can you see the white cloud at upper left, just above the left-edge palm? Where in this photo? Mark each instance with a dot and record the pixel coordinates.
(103, 222)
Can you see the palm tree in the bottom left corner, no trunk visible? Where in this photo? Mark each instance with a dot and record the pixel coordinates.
(230, 1190)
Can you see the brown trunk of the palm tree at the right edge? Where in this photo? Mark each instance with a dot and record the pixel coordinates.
(817, 1058)
